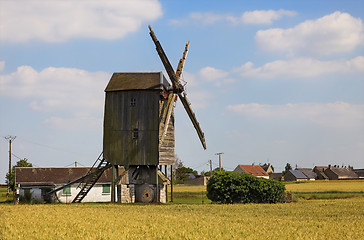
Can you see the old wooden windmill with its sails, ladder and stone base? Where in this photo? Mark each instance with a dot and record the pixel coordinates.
(139, 132)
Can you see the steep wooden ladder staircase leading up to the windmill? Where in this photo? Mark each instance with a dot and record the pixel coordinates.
(93, 175)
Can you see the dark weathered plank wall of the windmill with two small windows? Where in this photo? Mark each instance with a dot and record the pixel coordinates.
(131, 131)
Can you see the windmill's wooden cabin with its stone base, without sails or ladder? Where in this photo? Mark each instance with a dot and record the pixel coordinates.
(135, 104)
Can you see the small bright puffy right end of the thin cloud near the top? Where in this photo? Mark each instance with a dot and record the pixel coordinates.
(265, 16)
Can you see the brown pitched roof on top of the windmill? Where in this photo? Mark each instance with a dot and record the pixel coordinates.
(137, 81)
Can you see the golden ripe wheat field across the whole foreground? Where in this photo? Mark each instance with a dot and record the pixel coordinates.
(315, 219)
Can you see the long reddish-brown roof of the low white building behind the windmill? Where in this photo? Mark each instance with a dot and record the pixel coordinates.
(46, 176)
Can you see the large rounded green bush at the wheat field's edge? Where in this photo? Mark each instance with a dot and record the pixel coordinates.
(233, 187)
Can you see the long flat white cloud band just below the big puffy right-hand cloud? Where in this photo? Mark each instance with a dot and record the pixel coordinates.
(301, 68)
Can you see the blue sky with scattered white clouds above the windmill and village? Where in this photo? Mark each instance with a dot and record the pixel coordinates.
(270, 81)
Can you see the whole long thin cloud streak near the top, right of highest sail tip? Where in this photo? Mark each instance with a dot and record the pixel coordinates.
(248, 17)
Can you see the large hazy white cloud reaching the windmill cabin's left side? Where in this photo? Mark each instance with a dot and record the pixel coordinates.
(75, 93)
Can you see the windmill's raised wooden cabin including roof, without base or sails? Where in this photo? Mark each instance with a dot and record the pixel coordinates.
(133, 122)
